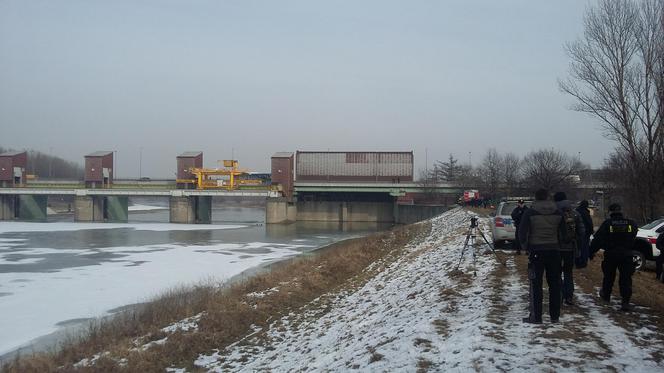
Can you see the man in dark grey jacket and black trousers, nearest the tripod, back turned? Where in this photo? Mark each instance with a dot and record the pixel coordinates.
(539, 231)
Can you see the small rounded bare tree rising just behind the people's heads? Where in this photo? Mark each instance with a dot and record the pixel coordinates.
(549, 169)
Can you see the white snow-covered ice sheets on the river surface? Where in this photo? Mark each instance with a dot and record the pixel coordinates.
(94, 280)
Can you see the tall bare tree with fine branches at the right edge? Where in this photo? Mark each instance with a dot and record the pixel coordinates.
(617, 75)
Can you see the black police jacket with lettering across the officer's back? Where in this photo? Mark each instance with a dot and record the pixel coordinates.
(616, 236)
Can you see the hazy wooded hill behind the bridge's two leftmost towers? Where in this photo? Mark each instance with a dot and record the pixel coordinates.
(46, 166)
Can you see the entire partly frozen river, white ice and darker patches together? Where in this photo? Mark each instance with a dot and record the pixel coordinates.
(58, 274)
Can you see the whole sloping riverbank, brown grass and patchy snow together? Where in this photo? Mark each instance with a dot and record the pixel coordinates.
(405, 300)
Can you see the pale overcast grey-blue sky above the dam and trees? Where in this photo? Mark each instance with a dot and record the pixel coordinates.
(257, 77)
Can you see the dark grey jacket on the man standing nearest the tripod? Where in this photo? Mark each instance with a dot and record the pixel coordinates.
(539, 227)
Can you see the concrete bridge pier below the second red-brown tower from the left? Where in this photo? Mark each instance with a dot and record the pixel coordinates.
(101, 208)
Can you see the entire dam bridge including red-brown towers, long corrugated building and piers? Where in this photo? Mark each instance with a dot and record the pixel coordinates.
(315, 186)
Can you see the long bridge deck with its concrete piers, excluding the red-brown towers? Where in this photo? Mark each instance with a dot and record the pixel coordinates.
(359, 202)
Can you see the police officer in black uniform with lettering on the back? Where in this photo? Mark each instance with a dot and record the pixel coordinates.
(616, 236)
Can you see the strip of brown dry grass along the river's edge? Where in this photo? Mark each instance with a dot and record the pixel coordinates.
(229, 313)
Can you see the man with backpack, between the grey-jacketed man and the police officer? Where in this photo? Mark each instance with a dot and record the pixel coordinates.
(572, 232)
